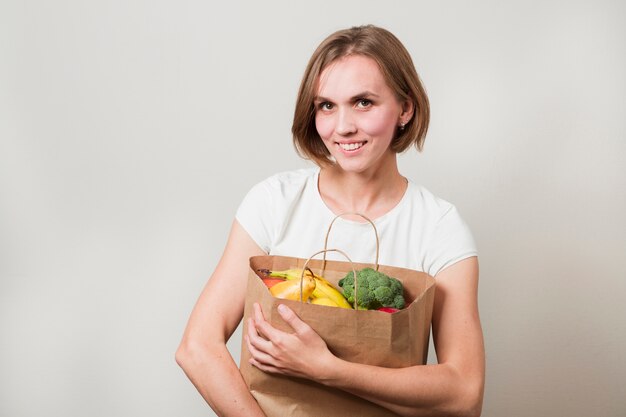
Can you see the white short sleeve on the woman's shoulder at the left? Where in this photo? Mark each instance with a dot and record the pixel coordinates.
(254, 214)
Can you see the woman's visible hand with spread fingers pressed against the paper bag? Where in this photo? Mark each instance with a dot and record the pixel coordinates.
(302, 353)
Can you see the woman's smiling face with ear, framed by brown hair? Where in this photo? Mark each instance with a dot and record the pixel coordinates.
(357, 114)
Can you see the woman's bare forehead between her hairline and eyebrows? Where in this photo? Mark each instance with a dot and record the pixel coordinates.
(350, 75)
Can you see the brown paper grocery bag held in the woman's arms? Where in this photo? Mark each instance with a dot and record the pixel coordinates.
(369, 337)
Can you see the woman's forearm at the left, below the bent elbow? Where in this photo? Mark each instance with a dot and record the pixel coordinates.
(216, 377)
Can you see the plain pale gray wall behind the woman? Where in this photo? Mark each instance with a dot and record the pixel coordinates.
(130, 131)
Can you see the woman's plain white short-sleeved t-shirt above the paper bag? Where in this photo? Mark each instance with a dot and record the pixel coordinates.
(285, 215)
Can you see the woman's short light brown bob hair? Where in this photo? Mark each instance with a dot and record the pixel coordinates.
(398, 70)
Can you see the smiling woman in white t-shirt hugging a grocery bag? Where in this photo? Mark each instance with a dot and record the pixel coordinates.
(360, 103)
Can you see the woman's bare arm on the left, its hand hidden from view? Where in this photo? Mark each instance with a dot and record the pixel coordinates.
(202, 352)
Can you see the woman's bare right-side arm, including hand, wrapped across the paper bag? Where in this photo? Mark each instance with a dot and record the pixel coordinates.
(452, 387)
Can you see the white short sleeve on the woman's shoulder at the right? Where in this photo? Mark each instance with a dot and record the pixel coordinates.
(451, 242)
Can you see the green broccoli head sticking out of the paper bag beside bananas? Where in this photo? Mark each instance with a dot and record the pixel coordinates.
(374, 290)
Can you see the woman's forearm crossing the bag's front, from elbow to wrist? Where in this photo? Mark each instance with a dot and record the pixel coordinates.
(426, 390)
